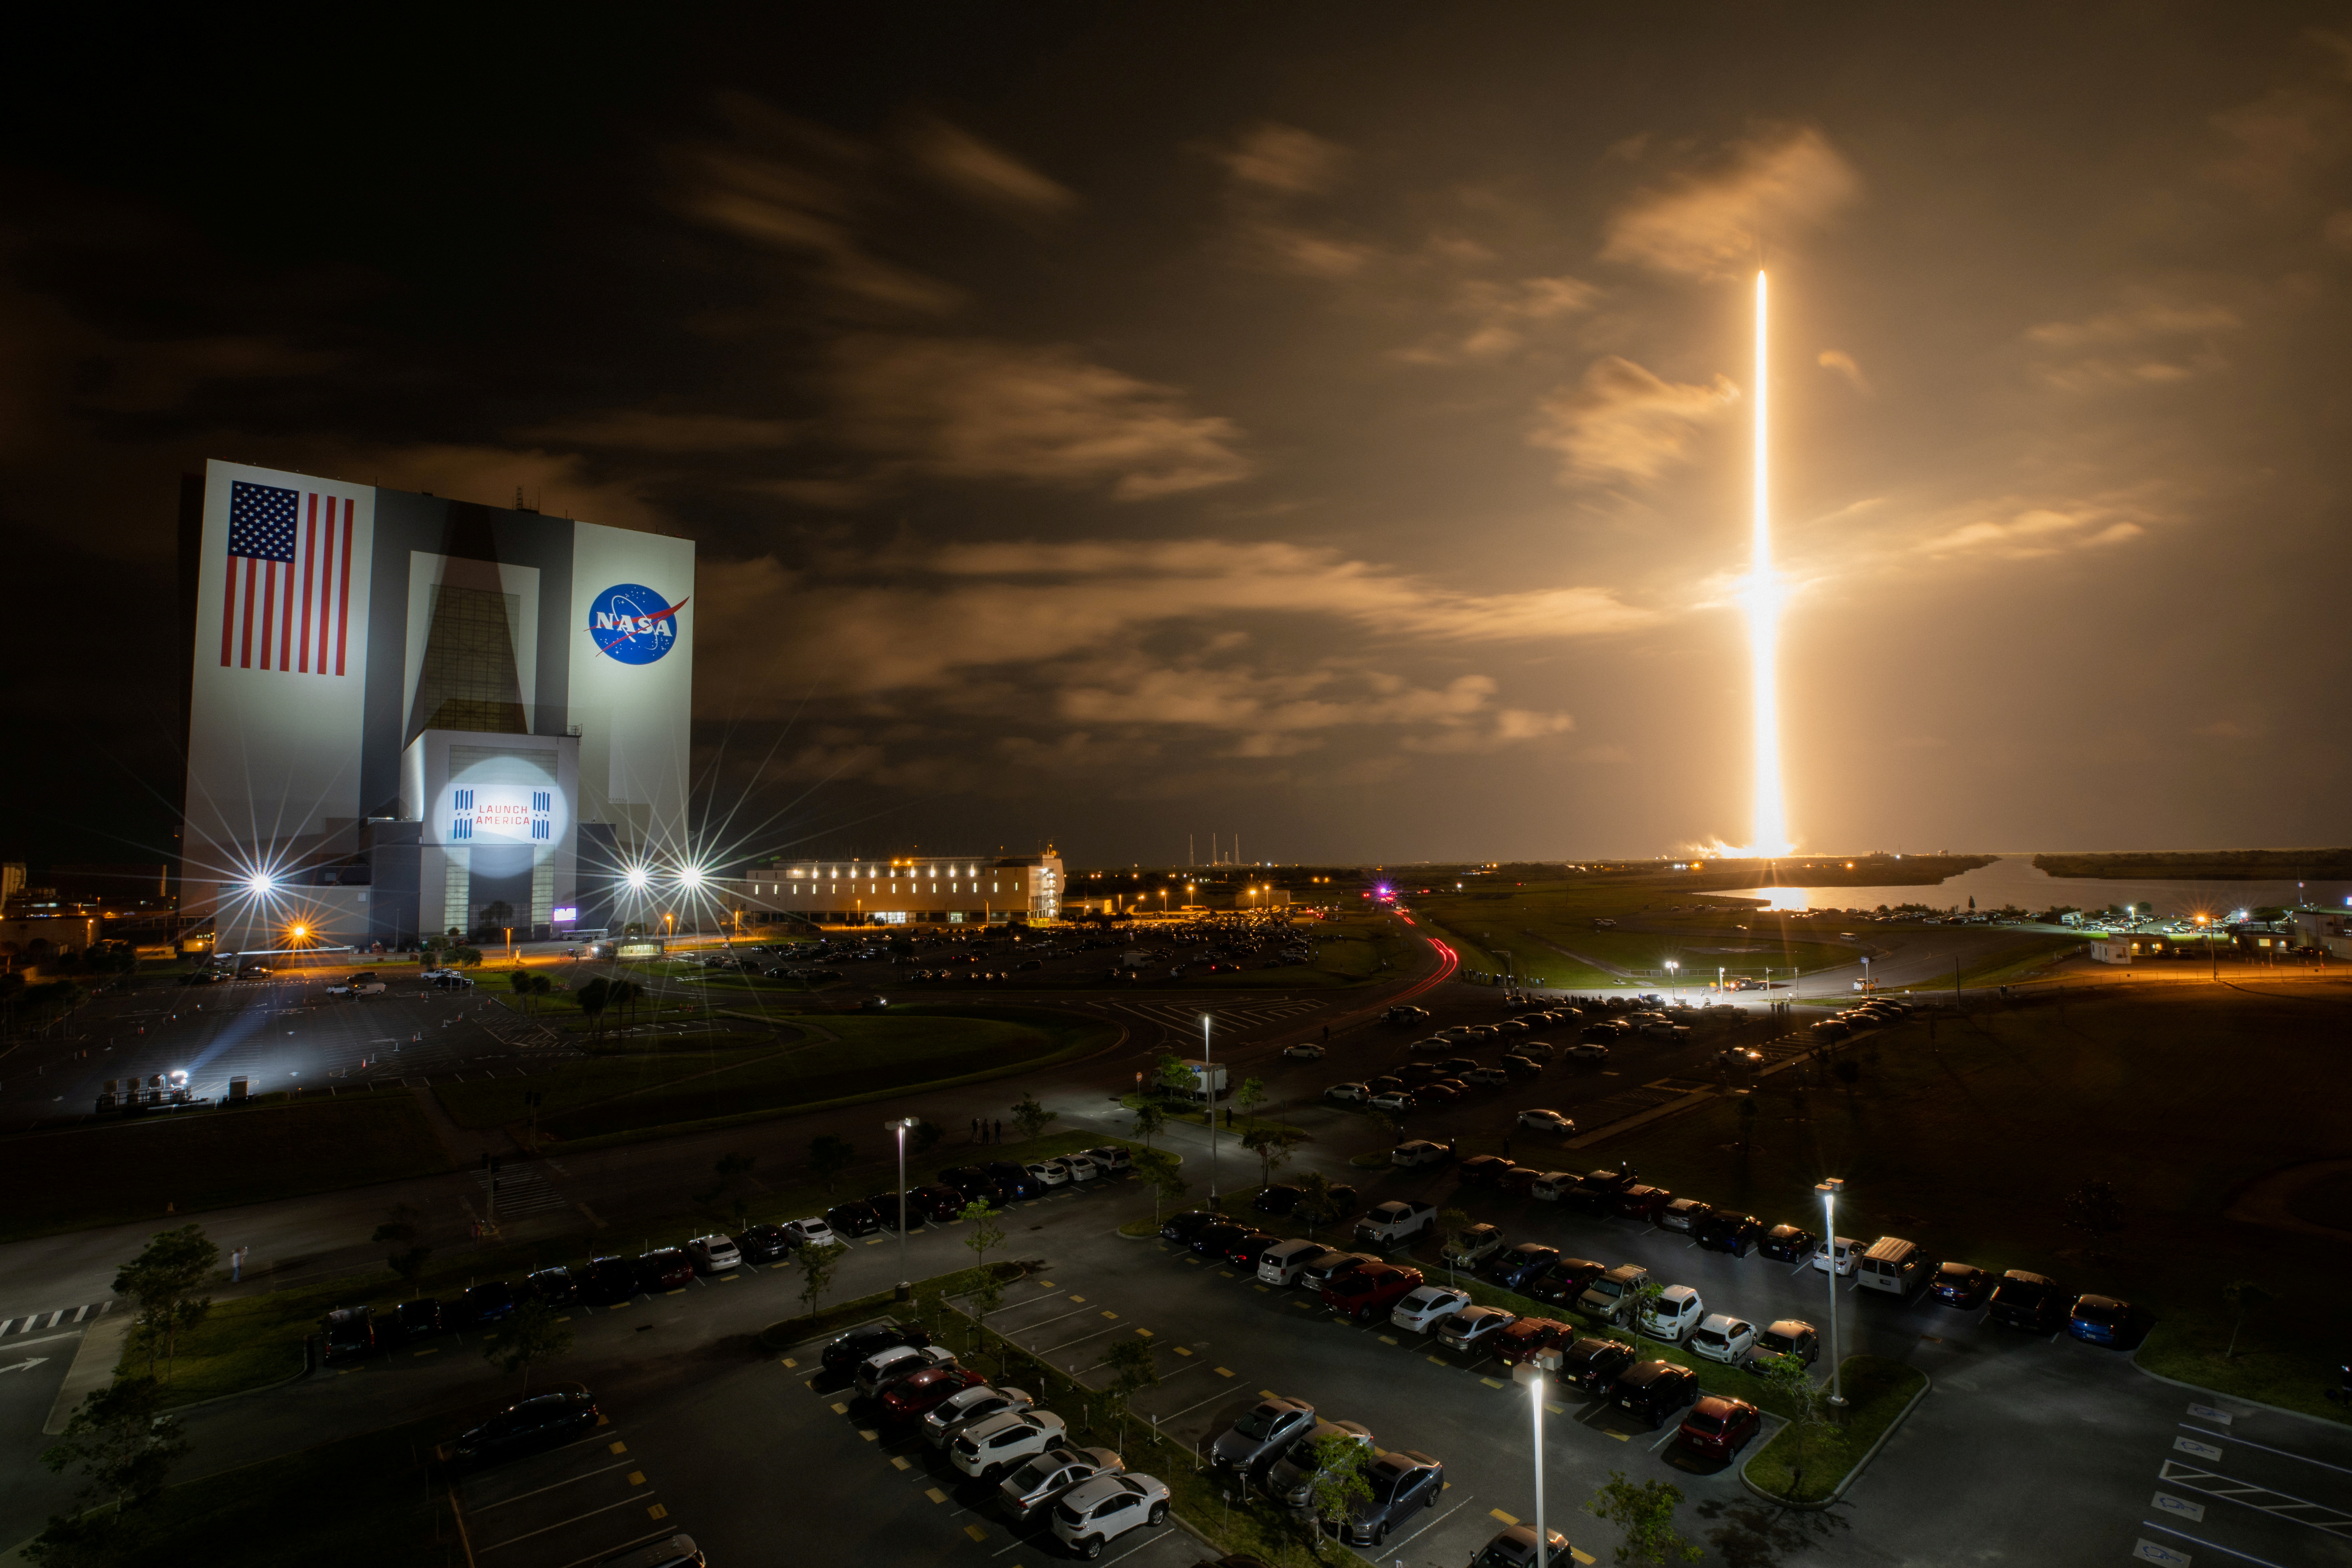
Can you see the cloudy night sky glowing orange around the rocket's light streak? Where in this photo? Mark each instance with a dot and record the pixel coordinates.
(1316, 422)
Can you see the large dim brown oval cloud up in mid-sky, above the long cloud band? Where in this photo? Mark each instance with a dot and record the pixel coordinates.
(980, 410)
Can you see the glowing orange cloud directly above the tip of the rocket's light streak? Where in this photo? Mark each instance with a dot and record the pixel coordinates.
(1713, 225)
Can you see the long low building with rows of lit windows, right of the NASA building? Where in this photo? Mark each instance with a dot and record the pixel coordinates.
(907, 890)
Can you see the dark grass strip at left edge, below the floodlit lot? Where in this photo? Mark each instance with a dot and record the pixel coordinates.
(213, 1160)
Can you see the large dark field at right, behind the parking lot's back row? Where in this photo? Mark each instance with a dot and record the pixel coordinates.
(1972, 1139)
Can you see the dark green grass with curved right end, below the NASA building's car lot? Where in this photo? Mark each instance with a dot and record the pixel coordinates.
(667, 1087)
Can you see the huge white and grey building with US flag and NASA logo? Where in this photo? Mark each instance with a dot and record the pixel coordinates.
(415, 716)
